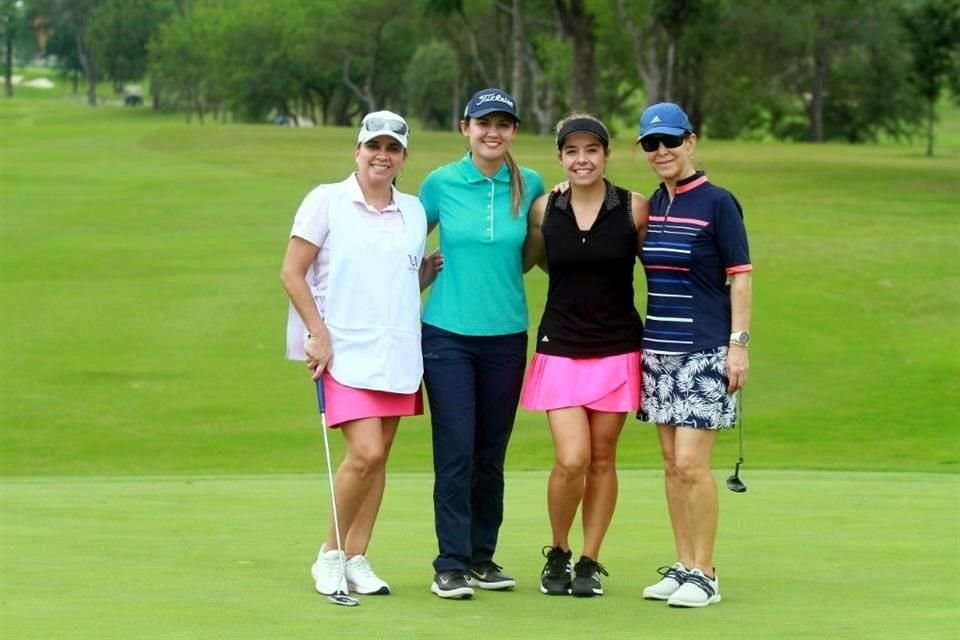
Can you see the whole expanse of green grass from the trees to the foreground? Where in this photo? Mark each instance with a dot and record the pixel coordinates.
(159, 459)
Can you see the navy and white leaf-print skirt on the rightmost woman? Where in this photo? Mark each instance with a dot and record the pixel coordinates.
(688, 390)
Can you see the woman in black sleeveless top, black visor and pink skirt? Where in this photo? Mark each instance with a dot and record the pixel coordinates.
(586, 371)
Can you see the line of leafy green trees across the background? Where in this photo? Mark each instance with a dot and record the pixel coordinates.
(812, 70)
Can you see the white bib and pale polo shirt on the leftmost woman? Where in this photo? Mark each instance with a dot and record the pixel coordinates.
(365, 283)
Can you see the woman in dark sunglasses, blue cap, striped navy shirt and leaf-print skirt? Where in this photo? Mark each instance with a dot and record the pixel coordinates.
(697, 264)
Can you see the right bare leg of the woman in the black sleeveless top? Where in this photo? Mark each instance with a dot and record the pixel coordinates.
(600, 495)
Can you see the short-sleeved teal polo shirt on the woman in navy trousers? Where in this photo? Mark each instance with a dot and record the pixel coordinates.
(480, 290)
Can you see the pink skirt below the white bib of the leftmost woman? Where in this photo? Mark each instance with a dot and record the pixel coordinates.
(344, 403)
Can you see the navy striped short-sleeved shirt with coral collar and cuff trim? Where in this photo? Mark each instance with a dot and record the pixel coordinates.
(693, 243)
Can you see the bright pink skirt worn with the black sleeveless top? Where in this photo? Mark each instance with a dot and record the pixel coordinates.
(611, 383)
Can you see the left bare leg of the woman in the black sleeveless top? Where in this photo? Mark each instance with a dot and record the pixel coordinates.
(570, 429)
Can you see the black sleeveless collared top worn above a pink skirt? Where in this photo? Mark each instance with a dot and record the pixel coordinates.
(590, 310)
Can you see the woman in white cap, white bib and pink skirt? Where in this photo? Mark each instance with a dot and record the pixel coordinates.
(353, 271)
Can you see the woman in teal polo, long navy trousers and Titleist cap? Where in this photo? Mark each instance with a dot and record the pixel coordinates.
(475, 339)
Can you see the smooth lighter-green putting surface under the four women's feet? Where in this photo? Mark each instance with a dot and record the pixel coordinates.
(803, 555)
